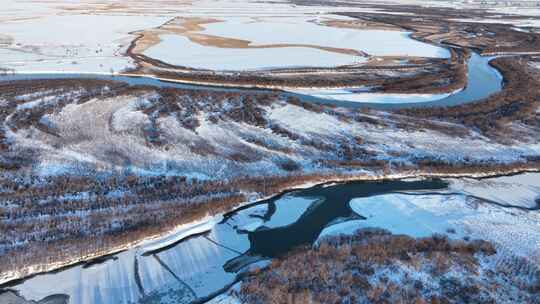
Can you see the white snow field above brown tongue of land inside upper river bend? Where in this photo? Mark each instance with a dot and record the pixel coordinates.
(312, 31)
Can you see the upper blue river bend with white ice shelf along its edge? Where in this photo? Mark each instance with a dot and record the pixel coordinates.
(470, 89)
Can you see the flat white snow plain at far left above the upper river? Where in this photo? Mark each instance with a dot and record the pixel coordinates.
(55, 43)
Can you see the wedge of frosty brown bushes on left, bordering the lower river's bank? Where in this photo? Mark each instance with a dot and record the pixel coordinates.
(53, 219)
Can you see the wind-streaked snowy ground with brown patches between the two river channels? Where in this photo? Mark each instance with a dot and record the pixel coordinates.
(113, 141)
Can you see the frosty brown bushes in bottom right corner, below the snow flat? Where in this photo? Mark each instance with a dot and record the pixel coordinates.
(374, 266)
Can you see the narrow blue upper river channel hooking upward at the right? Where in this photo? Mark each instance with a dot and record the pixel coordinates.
(483, 80)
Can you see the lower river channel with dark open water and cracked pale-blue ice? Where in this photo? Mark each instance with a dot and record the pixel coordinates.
(199, 261)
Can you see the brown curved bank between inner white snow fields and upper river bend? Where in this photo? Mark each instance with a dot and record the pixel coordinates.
(378, 75)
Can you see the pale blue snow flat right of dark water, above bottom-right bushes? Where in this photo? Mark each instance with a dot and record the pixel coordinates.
(423, 215)
